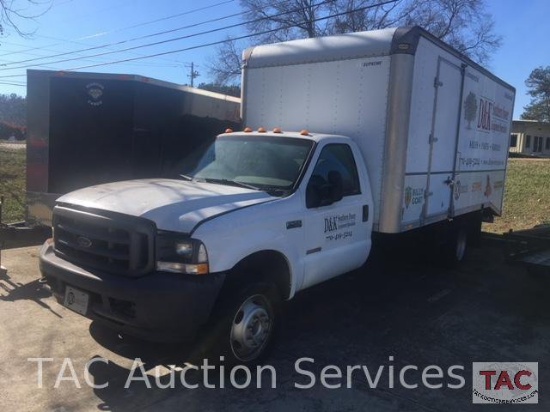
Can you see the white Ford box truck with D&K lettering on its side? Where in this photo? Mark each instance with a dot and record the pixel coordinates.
(381, 132)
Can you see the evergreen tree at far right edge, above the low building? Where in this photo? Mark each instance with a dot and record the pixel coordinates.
(538, 84)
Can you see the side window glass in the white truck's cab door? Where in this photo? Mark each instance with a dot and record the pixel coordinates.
(335, 170)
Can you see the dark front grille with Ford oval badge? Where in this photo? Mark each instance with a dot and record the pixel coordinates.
(113, 243)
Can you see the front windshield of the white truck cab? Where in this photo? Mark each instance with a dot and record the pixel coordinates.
(264, 163)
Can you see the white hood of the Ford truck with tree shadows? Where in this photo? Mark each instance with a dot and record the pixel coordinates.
(172, 204)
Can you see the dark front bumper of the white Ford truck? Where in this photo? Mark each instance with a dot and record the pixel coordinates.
(158, 307)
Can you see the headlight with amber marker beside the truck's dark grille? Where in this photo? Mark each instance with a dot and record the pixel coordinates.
(178, 254)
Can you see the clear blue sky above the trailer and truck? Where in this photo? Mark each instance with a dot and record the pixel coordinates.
(71, 25)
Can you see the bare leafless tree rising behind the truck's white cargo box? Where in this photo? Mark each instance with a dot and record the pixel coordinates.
(463, 24)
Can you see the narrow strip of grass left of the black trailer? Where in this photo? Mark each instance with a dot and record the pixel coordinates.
(12, 182)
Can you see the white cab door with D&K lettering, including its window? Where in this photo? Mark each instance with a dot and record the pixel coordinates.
(337, 237)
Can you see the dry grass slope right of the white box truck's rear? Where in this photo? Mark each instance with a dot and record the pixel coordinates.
(526, 196)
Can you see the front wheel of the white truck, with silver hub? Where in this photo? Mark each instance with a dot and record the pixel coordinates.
(247, 323)
